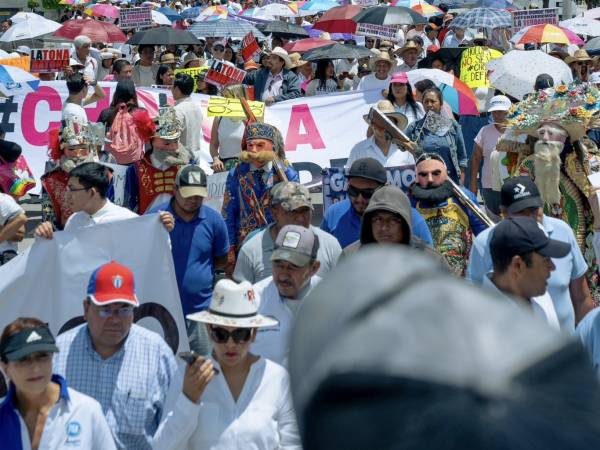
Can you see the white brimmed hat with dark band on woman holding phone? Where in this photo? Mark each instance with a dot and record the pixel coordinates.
(233, 305)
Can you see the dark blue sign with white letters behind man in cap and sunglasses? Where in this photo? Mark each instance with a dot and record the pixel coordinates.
(335, 182)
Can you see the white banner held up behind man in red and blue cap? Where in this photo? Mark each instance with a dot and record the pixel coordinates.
(49, 280)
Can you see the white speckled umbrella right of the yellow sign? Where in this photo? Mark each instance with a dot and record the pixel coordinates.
(515, 72)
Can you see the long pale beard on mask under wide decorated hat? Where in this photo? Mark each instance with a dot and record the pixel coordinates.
(546, 165)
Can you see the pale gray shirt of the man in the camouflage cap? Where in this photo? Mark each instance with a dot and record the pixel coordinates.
(254, 259)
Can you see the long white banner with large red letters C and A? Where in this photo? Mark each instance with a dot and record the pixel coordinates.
(317, 130)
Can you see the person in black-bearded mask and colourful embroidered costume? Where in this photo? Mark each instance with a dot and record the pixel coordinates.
(452, 225)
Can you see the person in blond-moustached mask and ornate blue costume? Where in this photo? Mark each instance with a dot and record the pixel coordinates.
(246, 203)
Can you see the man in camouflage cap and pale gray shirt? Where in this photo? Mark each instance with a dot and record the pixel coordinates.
(290, 205)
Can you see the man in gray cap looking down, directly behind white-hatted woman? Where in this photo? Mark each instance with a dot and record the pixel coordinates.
(295, 266)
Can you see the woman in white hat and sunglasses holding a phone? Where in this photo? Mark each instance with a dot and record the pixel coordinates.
(243, 404)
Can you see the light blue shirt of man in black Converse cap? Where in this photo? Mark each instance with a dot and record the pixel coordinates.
(568, 268)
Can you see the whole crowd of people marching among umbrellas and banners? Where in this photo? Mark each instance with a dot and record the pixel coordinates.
(501, 200)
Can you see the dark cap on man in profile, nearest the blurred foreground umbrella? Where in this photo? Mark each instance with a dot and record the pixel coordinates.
(522, 235)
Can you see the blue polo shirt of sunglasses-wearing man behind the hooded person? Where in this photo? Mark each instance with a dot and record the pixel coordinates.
(342, 222)
